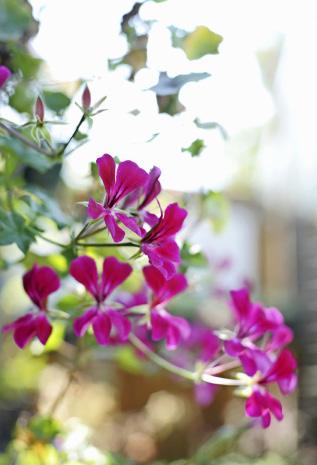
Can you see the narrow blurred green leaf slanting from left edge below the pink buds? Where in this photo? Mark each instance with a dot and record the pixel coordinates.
(27, 155)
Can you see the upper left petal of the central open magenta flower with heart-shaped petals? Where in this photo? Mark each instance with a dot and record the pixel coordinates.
(84, 270)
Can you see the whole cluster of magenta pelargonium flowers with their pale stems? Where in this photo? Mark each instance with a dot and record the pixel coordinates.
(253, 351)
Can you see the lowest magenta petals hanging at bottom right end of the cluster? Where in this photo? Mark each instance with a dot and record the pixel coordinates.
(262, 405)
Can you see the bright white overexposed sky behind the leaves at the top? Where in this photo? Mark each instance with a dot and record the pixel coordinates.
(77, 37)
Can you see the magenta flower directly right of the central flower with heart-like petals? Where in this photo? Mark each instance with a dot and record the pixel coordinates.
(164, 325)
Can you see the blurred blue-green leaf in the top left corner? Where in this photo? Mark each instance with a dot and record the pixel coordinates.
(15, 19)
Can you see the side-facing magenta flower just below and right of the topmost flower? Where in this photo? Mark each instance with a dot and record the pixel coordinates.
(159, 243)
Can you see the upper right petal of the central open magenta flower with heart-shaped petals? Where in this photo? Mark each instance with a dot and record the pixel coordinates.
(114, 273)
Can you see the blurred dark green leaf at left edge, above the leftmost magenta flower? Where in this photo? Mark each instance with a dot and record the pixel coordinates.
(14, 230)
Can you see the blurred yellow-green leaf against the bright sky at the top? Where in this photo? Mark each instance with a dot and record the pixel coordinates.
(200, 42)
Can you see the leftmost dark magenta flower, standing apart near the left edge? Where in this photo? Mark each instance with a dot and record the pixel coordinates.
(38, 283)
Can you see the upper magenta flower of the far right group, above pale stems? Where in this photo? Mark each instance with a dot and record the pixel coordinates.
(253, 321)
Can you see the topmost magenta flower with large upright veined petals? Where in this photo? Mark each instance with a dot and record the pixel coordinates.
(119, 183)
